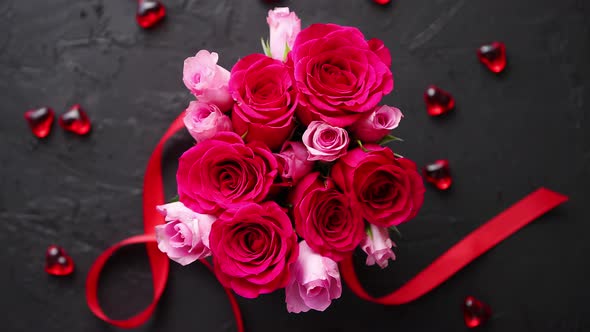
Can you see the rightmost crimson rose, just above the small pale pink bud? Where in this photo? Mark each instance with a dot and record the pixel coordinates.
(388, 190)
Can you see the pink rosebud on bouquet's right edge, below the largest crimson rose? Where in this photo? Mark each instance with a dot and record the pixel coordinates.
(377, 124)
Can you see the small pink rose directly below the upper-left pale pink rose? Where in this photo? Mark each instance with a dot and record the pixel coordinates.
(204, 120)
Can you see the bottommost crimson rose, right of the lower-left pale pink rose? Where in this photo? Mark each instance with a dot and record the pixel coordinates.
(253, 248)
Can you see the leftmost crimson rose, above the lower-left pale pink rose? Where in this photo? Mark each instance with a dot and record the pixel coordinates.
(222, 172)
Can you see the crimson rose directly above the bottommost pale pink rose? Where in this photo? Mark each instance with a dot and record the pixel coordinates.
(325, 218)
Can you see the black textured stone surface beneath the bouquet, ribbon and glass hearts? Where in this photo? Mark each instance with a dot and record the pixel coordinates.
(509, 135)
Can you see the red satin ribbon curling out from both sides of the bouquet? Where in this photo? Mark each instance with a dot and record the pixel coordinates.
(468, 249)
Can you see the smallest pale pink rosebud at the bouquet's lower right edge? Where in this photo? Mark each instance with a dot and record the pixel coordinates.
(377, 245)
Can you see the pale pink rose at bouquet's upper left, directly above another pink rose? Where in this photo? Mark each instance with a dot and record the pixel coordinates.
(207, 80)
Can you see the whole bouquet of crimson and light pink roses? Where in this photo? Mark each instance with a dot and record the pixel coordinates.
(289, 175)
